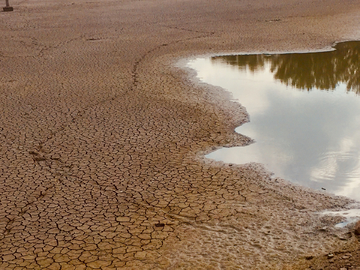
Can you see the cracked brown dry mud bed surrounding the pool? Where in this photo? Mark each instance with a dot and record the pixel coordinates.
(102, 137)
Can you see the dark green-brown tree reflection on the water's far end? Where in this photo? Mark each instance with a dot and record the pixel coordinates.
(322, 70)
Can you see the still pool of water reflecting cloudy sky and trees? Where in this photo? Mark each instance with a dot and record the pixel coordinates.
(309, 137)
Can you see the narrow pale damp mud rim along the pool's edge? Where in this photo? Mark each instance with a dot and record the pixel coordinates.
(240, 116)
